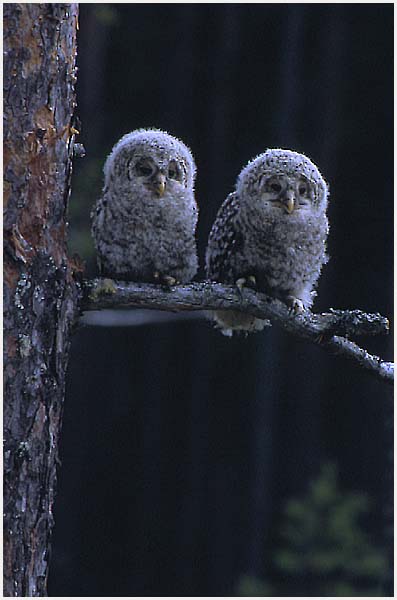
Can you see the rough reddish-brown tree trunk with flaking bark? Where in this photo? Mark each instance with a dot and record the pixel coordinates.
(40, 295)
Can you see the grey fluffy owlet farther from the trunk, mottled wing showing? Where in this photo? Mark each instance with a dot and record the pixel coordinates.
(271, 233)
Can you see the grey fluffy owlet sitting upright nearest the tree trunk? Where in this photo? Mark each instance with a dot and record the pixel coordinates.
(144, 223)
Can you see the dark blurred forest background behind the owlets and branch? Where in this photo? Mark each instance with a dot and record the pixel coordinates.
(197, 465)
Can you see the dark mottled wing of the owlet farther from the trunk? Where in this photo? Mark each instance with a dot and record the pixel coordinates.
(225, 238)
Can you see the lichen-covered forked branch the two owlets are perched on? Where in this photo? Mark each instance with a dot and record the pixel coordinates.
(327, 330)
